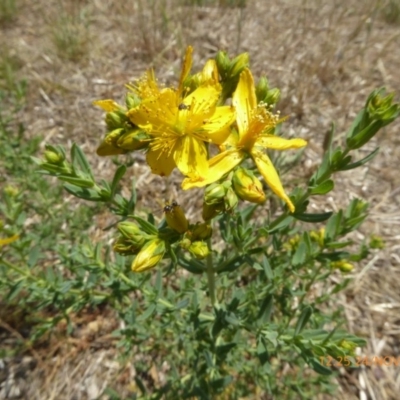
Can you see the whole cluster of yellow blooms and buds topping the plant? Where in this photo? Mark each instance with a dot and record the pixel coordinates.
(221, 106)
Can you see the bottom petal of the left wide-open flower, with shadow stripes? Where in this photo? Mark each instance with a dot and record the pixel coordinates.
(190, 156)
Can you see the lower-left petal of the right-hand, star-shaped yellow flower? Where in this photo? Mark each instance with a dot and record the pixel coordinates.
(219, 166)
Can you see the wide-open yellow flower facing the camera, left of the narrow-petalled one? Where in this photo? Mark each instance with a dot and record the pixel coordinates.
(181, 124)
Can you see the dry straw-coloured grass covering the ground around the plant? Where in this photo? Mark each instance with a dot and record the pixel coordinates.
(325, 56)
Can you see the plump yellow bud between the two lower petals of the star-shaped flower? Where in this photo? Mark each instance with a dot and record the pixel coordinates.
(247, 186)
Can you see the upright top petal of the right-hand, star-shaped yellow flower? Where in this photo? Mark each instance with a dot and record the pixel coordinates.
(244, 100)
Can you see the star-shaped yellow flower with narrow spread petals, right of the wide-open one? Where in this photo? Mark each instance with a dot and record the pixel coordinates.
(255, 126)
